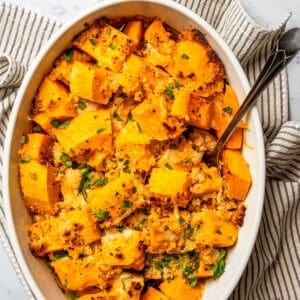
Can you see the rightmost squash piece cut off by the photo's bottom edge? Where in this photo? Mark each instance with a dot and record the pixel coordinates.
(178, 287)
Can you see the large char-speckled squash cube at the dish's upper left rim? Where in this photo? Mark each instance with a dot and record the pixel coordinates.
(106, 44)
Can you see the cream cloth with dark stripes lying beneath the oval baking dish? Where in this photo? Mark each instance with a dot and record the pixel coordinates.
(273, 269)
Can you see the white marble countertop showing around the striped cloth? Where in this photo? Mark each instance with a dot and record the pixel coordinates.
(267, 13)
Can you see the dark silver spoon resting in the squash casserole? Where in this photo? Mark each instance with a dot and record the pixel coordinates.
(284, 51)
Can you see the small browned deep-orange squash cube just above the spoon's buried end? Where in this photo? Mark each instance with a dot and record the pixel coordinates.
(200, 111)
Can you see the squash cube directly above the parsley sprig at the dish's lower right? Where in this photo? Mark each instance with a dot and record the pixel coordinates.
(213, 231)
